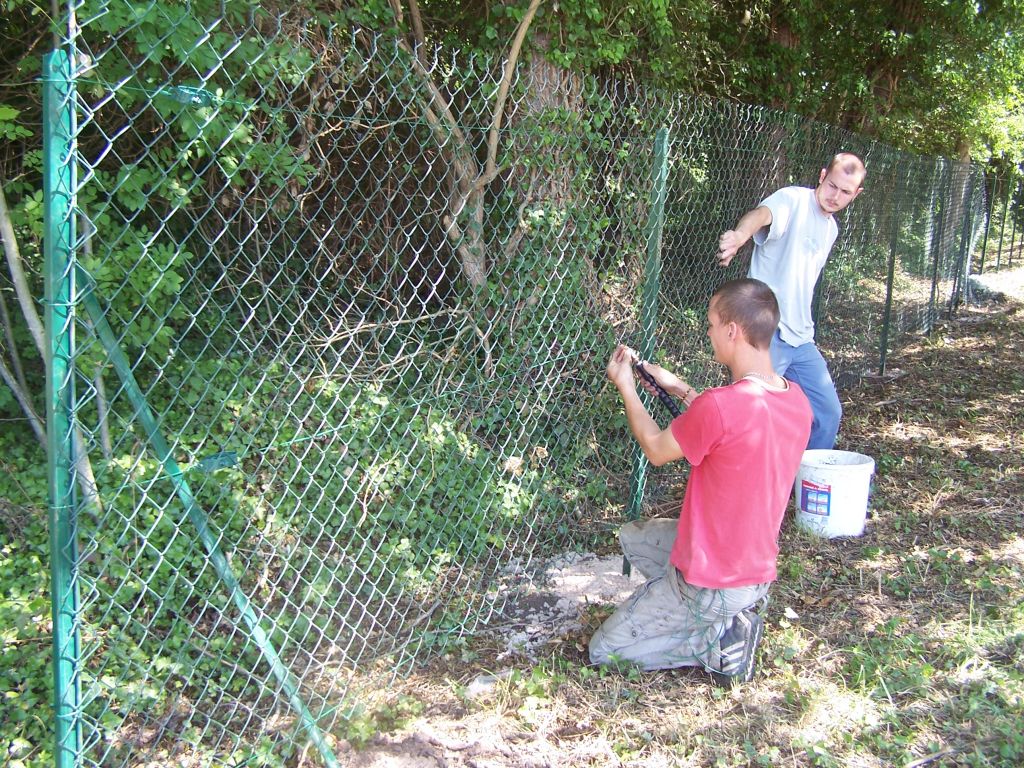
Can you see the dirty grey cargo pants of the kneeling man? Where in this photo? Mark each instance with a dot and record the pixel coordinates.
(667, 623)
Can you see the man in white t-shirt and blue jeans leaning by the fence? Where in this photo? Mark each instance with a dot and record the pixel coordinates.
(794, 231)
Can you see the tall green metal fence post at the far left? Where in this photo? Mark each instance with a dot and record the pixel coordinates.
(59, 186)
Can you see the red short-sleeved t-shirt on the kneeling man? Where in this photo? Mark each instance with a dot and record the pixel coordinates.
(745, 443)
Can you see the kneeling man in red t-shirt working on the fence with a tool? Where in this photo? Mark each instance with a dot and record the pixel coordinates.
(745, 442)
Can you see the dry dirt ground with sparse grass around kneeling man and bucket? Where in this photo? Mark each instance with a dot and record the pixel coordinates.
(508, 705)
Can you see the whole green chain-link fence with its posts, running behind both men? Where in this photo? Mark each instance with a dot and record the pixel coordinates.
(327, 337)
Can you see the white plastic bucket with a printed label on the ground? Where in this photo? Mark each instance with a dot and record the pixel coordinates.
(831, 492)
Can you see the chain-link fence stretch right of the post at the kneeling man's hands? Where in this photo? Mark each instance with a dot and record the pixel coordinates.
(899, 267)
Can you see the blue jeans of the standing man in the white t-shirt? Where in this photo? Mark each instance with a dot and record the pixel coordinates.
(805, 366)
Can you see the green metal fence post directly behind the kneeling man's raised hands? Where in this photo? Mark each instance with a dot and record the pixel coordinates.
(649, 310)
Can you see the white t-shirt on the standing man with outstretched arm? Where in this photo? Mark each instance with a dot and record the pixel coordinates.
(790, 254)
